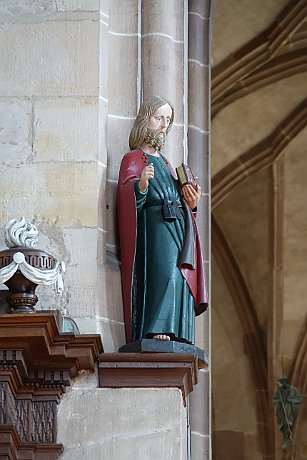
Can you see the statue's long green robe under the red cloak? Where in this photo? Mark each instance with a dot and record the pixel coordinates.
(164, 303)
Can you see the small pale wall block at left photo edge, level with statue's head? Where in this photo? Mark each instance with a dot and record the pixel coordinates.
(15, 130)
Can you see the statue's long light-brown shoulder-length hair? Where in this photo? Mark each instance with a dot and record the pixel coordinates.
(146, 110)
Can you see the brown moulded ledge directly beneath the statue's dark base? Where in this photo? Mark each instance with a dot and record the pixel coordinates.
(148, 370)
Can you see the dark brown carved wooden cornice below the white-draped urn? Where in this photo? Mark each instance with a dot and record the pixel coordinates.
(37, 363)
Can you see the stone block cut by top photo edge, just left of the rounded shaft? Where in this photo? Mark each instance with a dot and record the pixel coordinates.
(123, 16)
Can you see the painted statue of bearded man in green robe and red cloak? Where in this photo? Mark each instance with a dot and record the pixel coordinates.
(162, 268)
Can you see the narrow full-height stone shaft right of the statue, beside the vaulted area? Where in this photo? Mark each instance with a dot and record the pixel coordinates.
(200, 13)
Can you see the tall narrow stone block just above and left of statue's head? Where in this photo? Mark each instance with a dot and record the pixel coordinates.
(124, 72)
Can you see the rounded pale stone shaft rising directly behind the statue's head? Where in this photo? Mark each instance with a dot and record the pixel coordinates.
(164, 35)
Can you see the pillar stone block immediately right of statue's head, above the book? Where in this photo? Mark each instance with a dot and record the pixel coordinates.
(198, 146)
